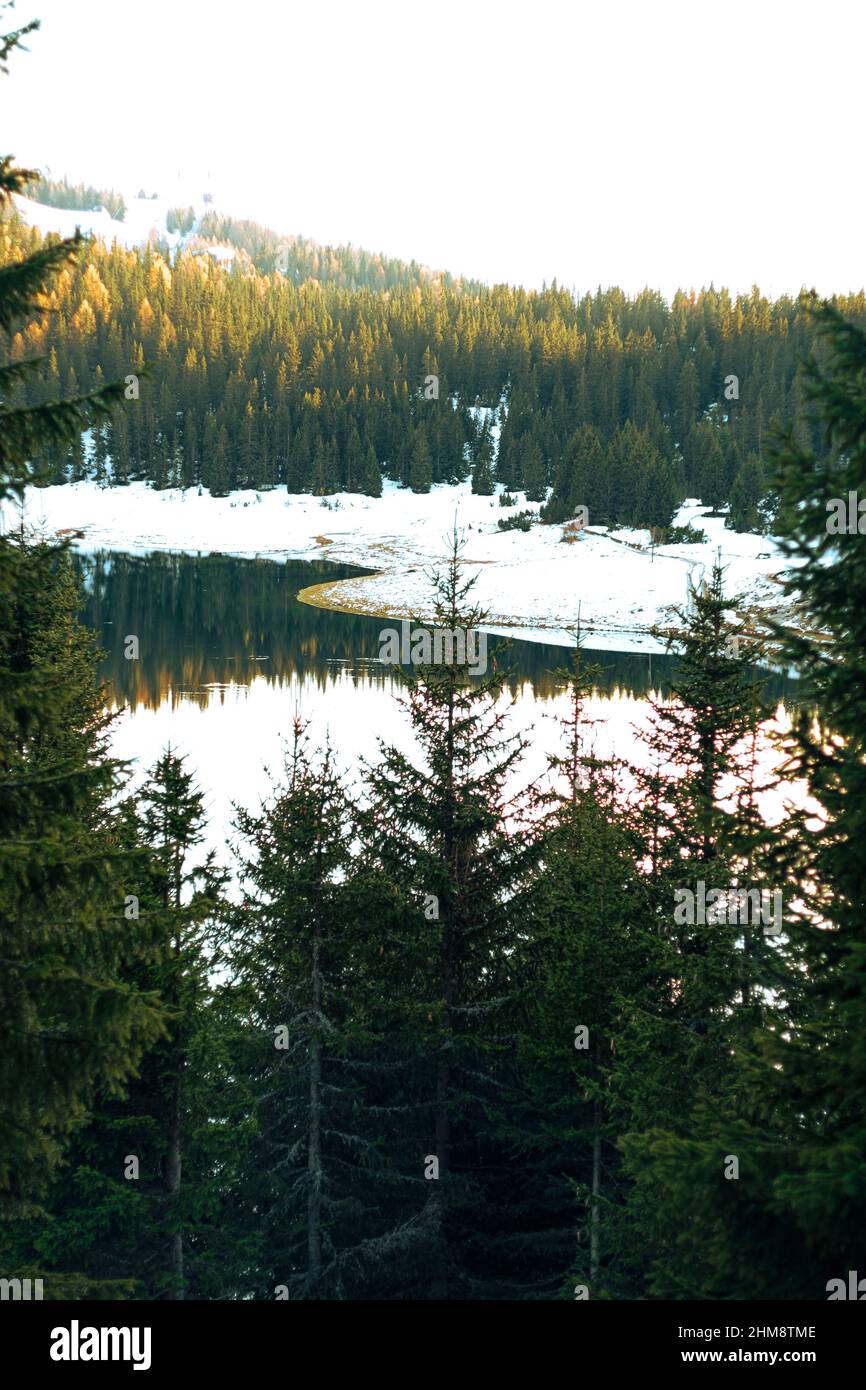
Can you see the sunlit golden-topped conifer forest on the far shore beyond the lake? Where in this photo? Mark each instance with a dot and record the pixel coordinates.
(337, 369)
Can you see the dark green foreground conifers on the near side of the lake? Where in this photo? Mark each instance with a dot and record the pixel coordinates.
(446, 1040)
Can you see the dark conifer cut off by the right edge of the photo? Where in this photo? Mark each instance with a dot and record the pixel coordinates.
(804, 1085)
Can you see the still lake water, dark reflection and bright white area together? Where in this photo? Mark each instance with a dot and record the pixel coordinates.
(229, 657)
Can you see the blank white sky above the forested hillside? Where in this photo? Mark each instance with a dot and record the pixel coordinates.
(616, 142)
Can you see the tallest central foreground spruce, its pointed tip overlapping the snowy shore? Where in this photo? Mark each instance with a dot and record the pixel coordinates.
(437, 832)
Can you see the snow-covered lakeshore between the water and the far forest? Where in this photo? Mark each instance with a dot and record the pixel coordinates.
(533, 582)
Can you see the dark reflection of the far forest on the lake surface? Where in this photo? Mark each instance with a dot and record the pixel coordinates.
(206, 623)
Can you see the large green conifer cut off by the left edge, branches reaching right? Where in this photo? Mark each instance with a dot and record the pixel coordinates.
(69, 1021)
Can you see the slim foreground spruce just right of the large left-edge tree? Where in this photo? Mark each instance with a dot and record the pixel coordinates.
(119, 1214)
